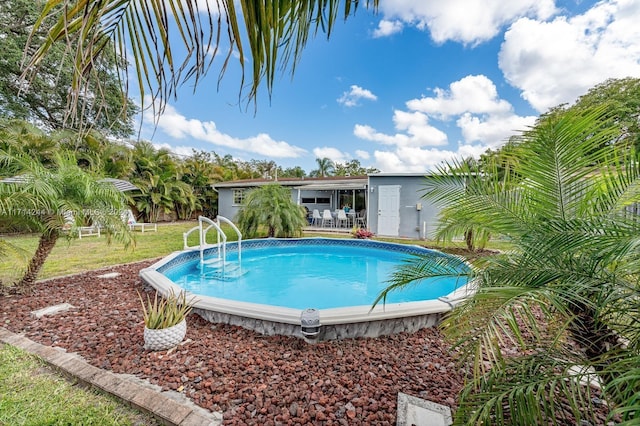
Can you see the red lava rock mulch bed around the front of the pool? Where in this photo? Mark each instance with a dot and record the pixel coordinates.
(250, 378)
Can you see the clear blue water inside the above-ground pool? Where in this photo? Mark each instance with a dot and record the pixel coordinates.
(304, 276)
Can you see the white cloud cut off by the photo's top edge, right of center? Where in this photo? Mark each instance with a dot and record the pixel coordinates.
(469, 22)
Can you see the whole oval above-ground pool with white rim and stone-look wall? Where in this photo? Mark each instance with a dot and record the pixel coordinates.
(316, 288)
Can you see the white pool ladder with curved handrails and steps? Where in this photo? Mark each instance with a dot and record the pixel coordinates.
(216, 267)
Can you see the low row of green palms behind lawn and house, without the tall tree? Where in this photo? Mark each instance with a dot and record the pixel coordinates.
(170, 186)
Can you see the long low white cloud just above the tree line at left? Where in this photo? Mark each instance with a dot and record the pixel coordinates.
(178, 126)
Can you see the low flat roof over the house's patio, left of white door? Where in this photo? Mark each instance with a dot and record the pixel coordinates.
(330, 182)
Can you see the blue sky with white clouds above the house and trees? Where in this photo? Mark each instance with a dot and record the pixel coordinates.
(418, 83)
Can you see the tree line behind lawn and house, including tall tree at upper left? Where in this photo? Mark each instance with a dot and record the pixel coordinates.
(35, 119)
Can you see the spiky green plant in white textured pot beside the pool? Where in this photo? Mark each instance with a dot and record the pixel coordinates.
(165, 322)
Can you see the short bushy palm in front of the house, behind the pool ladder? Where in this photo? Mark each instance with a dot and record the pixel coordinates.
(271, 206)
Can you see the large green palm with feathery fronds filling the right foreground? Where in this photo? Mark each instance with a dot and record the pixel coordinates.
(566, 295)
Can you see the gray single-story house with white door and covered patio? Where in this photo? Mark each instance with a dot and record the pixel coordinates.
(390, 204)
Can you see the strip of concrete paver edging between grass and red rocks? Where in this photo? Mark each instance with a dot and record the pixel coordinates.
(170, 408)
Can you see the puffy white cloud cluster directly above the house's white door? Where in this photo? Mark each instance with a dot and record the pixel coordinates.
(484, 120)
